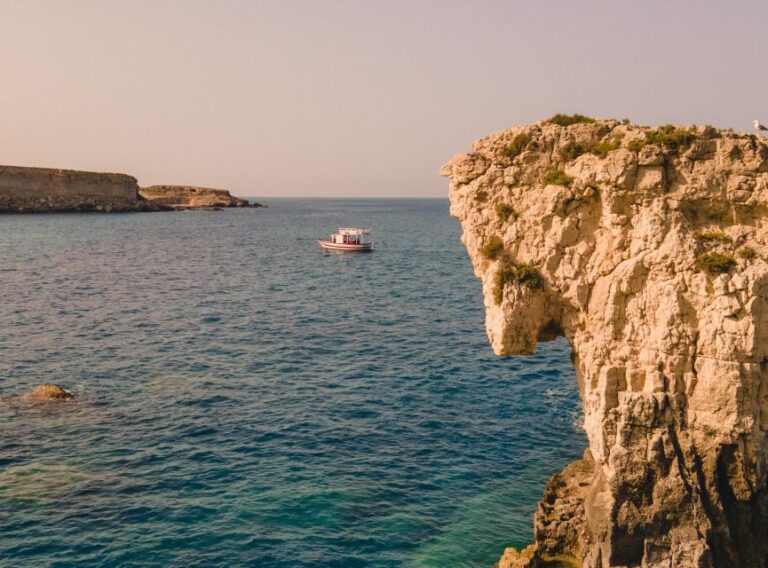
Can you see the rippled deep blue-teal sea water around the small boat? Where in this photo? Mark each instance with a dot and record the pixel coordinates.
(247, 400)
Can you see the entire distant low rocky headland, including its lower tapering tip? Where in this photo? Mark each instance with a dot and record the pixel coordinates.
(49, 190)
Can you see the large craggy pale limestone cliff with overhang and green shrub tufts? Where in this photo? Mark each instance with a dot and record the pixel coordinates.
(645, 248)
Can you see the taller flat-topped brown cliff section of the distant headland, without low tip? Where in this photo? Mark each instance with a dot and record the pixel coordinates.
(46, 189)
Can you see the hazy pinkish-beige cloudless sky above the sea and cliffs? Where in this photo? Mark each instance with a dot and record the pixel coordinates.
(352, 98)
